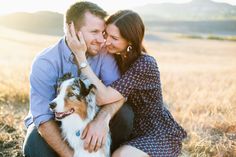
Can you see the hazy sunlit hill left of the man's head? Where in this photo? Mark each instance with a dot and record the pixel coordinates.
(44, 22)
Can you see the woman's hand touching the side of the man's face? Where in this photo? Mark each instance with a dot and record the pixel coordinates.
(75, 41)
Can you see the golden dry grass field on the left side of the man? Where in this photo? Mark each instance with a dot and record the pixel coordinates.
(17, 50)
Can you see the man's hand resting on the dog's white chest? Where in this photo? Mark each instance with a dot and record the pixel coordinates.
(95, 134)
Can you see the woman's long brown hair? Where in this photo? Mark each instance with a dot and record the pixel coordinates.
(132, 29)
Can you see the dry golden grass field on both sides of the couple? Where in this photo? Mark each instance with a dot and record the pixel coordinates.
(198, 80)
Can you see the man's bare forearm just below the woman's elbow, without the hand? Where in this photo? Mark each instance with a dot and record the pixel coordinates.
(108, 111)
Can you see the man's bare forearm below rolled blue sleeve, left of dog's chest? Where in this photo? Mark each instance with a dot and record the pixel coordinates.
(52, 135)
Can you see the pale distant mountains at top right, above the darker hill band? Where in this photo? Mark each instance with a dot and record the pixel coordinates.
(194, 11)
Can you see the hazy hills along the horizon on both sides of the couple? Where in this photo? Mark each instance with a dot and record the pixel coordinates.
(196, 17)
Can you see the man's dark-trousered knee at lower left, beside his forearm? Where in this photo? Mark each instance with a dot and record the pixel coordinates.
(36, 146)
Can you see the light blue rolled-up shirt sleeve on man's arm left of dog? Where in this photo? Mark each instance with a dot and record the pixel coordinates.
(42, 81)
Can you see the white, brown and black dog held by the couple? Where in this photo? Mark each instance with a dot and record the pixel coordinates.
(75, 106)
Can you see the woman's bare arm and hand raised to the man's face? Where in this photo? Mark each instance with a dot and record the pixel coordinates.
(104, 95)
